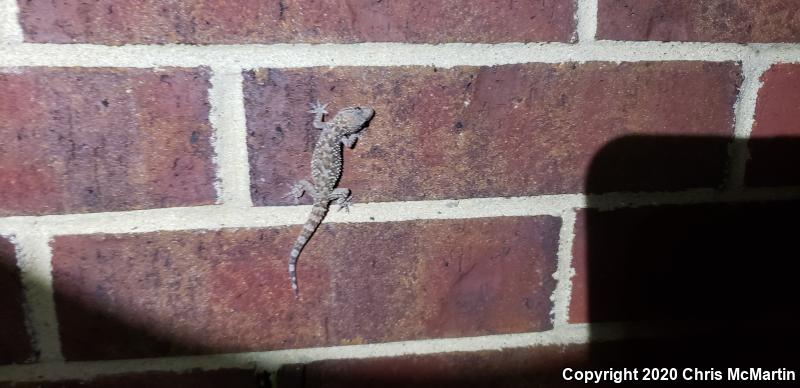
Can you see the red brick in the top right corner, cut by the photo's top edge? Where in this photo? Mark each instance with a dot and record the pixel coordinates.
(708, 21)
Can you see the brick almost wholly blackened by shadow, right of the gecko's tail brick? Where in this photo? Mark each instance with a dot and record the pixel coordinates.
(729, 263)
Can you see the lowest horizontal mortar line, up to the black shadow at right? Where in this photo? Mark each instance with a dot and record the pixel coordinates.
(272, 360)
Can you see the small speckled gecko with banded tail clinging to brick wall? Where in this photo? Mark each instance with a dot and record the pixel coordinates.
(326, 169)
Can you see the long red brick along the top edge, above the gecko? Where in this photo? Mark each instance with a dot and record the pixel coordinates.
(330, 21)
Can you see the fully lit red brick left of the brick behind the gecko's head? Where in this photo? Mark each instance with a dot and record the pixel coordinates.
(89, 140)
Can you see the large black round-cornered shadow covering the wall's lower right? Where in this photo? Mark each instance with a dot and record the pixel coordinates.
(713, 284)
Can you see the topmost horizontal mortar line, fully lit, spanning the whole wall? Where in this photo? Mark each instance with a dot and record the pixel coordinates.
(240, 57)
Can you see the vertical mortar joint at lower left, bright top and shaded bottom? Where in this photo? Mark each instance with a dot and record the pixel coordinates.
(35, 263)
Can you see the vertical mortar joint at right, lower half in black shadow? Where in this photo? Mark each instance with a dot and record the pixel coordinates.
(744, 117)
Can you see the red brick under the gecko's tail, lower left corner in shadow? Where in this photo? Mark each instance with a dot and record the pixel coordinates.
(199, 292)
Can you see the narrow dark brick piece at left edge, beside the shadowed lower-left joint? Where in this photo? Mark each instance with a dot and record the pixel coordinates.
(15, 342)
